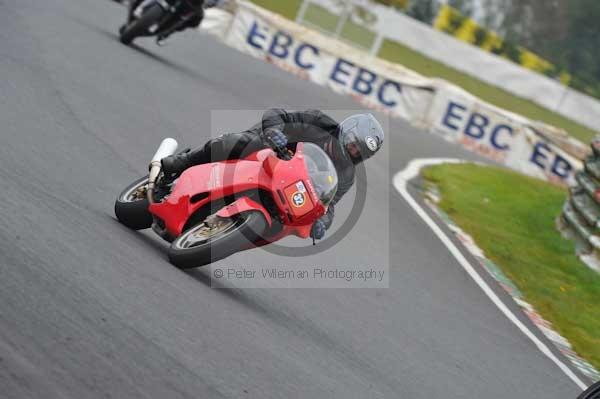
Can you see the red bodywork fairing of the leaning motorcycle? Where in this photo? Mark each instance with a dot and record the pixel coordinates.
(288, 183)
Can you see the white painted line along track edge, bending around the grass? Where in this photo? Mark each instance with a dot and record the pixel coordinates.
(400, 181)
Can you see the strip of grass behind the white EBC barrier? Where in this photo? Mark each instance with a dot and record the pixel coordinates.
(416, 61)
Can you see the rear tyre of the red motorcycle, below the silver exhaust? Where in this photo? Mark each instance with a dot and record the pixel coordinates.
(132, 209)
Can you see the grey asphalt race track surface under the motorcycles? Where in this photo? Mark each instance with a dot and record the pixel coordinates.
(89, 309)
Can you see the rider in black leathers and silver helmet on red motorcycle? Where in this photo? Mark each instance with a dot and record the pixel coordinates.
(347, 143)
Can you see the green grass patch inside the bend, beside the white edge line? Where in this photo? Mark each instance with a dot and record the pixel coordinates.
(511, 217)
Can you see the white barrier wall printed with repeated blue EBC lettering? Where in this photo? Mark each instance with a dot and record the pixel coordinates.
(428, 103)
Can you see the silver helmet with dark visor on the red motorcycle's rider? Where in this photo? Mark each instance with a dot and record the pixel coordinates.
(361, 136)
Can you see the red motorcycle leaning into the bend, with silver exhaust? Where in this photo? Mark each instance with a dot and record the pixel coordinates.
(215, 210)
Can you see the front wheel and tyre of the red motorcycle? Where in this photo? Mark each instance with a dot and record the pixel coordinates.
(201, 244)
